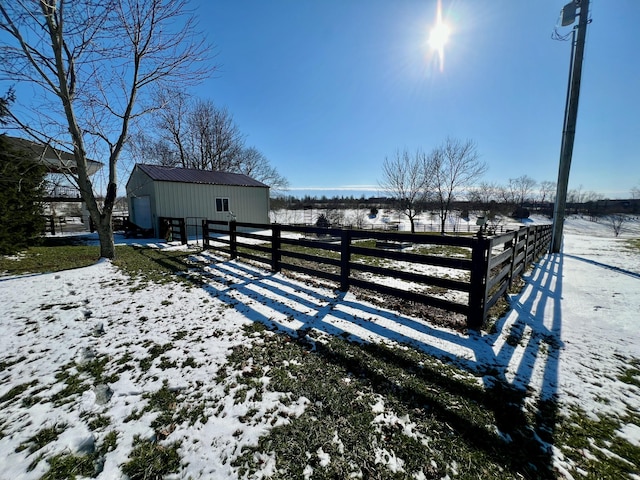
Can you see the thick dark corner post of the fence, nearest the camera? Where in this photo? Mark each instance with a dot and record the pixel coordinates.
(478, 280)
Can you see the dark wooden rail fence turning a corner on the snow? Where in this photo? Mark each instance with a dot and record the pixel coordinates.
(462, 274)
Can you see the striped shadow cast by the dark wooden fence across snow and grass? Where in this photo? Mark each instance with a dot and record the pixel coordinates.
(521, 355)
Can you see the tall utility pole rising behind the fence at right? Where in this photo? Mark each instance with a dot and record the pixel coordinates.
(569, 129)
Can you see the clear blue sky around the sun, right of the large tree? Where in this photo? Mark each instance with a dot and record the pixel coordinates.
(327, 89)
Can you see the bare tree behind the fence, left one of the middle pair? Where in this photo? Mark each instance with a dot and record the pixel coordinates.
(405, 177)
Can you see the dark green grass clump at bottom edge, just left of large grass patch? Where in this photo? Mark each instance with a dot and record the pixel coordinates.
(151, 461)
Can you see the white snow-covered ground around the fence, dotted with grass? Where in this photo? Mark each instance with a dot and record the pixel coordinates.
(570, 334)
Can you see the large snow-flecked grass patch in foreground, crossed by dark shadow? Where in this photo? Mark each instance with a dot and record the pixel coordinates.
(435, 416)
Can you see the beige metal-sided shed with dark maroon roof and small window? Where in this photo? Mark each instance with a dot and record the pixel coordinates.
(155, 191)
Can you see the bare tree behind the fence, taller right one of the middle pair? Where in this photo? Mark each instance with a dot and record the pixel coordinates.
(453, 166)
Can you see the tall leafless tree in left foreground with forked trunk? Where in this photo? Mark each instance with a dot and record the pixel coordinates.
(92, 63)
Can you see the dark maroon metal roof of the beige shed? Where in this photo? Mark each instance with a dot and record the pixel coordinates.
(192, 175)
